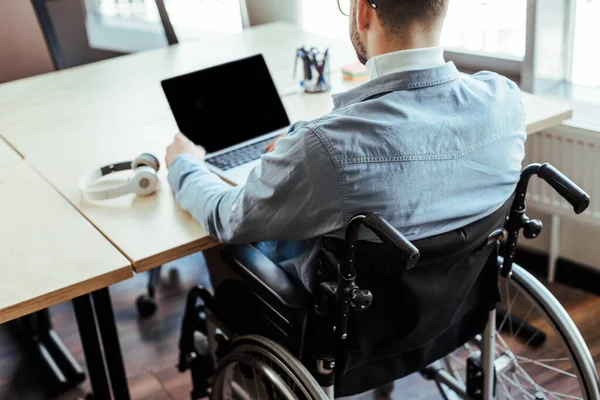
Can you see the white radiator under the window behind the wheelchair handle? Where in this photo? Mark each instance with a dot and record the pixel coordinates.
(576, 153)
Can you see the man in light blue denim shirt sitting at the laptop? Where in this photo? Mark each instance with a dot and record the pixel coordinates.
(428, 149)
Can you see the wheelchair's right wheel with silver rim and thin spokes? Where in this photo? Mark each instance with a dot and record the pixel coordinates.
(540, 354)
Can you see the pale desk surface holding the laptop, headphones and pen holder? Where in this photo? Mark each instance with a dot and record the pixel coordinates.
(69, 122)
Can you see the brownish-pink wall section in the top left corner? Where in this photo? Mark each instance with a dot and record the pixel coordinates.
(23, 50)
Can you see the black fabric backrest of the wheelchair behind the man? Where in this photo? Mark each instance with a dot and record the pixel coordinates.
(422, 314)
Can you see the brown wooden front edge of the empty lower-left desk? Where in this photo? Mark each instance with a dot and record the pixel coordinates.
(65, 294)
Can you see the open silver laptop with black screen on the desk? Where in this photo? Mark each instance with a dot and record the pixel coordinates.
(233, 110)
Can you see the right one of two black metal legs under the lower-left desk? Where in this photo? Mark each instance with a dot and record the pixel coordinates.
(110, 342)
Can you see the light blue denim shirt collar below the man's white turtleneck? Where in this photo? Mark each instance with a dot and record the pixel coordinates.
(395, 81)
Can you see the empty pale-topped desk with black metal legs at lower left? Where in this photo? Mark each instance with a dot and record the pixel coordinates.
(49, 254)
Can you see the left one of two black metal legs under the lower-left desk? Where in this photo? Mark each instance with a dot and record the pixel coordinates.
(84, 312)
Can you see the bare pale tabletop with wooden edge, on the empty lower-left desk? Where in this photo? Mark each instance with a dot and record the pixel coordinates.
(49, 253)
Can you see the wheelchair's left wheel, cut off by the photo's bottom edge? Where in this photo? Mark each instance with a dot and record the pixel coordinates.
(258, 368)
